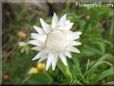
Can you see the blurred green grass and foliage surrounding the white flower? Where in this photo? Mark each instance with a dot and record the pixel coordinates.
(94, 65)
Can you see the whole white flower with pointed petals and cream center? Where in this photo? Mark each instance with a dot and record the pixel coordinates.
(55, 41)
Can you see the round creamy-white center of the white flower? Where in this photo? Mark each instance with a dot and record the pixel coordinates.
(56, 41)
